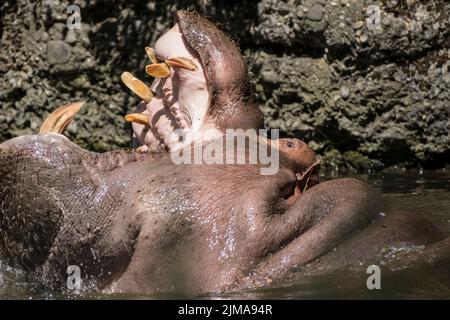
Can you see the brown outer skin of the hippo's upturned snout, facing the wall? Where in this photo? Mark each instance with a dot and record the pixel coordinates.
(231, 96)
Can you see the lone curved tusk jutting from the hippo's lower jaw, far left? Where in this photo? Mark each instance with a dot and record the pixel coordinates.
(59, 119)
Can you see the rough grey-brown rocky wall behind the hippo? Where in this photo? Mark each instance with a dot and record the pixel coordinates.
(365, 83)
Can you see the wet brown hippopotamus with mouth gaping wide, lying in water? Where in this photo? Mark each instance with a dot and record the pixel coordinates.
(134, 221)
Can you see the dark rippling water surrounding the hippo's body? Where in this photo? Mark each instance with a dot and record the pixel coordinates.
(426, 194)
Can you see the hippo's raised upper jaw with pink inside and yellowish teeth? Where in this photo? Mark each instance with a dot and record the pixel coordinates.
(201, 88)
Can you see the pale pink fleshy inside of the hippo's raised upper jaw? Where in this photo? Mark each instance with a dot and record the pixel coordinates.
(181, 101)
